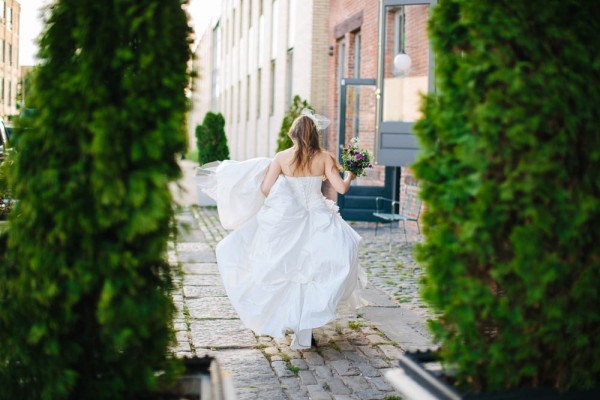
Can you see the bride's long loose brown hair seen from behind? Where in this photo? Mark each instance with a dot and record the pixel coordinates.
(306, 141)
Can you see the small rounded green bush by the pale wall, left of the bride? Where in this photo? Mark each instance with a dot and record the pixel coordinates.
(211, 139)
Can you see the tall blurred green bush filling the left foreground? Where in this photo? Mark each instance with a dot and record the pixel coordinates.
(85, 307)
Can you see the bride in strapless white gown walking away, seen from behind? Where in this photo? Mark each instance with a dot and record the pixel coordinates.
(291, 258)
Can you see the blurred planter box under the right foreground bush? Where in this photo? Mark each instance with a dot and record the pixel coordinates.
(420, 377)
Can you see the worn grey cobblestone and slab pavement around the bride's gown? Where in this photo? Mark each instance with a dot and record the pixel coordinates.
(351, 355)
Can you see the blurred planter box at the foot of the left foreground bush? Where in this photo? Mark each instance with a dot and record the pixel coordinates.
(203, 380)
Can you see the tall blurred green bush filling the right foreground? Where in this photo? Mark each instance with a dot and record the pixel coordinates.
(508, 167)
